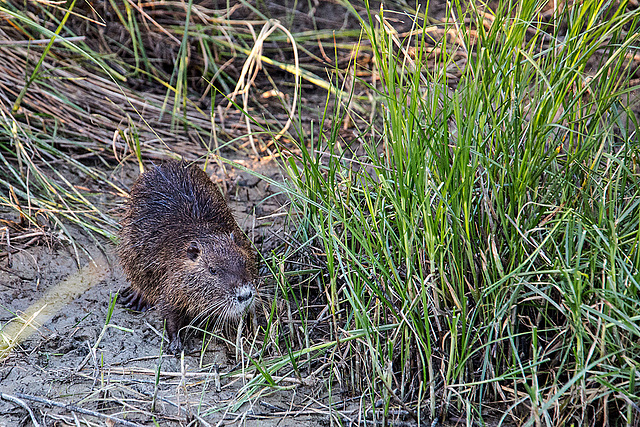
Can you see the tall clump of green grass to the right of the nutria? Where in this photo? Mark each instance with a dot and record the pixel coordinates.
(482, 248)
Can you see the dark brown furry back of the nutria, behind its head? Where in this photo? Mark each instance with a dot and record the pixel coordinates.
(168, 205)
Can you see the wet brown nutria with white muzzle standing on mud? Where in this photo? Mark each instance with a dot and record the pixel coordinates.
(182, 250)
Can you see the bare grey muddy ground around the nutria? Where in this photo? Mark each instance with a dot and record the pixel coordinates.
(63, 361)
